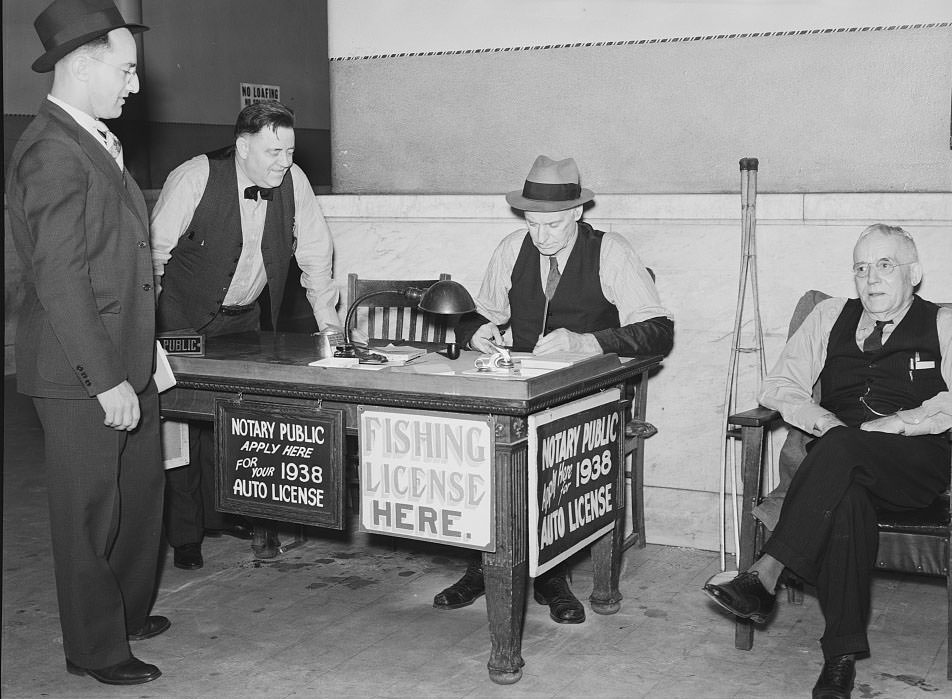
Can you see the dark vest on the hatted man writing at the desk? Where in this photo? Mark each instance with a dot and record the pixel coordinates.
(578, 304)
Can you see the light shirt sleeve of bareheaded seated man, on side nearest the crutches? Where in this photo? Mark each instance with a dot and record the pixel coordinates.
(788, 388)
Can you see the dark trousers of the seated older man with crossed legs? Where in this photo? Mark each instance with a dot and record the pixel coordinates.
(827, 531)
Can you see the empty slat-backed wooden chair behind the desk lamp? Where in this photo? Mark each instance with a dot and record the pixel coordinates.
(393, 316)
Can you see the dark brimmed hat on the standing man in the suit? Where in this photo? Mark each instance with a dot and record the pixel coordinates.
(66, 25)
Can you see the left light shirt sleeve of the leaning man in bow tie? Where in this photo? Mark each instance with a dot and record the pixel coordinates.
(172, 213)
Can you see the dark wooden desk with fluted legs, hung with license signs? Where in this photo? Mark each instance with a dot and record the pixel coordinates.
(272, 367)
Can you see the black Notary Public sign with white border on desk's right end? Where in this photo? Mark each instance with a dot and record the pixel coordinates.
(575, 452)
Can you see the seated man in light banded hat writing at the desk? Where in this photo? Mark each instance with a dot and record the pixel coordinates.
(560, 285)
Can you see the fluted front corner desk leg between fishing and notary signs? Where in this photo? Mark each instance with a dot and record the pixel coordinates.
(506, 570)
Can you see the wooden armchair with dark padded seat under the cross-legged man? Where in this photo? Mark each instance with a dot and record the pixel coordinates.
(909, 542)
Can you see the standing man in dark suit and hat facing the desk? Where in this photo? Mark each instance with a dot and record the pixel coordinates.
(85, 344)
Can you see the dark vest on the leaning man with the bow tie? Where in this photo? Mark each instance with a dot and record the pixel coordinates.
(203, 262)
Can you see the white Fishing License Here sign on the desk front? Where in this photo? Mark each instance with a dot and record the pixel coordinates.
(427, 475)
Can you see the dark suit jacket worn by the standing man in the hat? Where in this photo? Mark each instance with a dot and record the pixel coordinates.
(81, 230)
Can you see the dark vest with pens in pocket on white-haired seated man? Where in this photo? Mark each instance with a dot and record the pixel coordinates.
(887, 380)
